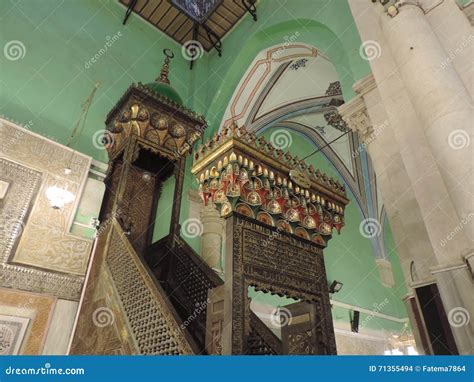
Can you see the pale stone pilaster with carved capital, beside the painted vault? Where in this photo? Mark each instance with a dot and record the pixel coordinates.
(366, 115)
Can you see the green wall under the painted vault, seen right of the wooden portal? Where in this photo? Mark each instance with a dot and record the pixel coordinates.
(349, 256)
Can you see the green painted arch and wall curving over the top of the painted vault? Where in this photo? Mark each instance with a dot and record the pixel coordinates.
(325, 24)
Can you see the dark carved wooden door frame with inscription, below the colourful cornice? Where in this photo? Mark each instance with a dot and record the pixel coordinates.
(271, 261)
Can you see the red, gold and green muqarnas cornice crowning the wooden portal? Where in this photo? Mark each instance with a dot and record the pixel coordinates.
(239, 172)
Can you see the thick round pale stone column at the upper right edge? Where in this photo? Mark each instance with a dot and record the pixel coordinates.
(440, 99)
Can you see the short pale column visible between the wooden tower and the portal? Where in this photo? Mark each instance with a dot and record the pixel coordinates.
(211, 238)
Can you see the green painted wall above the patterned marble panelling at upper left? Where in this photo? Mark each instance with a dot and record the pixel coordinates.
(46, 88)
